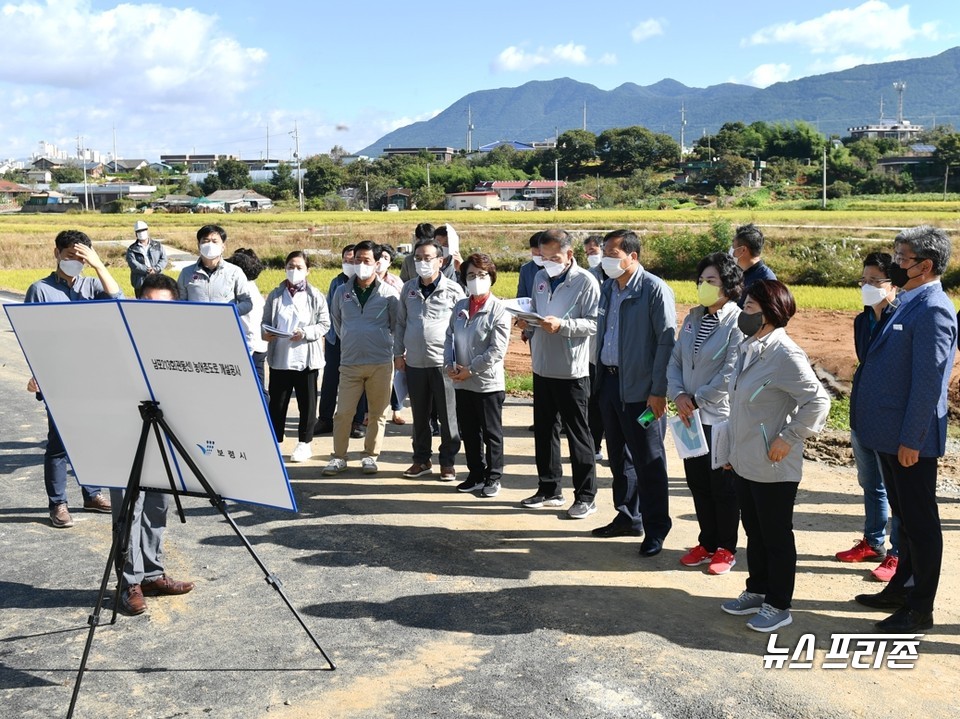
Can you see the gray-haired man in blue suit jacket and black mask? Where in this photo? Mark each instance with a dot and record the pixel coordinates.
(899, 409)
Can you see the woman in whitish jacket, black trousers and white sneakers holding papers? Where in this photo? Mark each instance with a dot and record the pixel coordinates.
(295, 317)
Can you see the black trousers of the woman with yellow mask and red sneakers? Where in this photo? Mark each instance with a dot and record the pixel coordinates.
(715, 501)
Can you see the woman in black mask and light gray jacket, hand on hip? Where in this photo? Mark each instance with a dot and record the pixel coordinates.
(776, 402)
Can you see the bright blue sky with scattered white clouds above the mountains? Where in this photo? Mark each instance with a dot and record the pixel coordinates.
(207, 76)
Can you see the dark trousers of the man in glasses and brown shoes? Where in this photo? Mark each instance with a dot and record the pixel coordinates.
(431, 391)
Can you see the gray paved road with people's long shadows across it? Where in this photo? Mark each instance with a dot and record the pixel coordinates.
(432, 603)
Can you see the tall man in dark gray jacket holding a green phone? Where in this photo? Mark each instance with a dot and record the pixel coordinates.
(636, 334)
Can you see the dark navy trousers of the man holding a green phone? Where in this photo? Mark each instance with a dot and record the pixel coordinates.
(637, 460)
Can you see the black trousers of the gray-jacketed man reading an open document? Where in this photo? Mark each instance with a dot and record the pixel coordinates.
(556, 400)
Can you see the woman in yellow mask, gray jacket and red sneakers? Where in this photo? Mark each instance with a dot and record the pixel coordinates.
(697, 378)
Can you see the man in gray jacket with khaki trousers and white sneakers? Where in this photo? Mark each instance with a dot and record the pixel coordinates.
(364, 315)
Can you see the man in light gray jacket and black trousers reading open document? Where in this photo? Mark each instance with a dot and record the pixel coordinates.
(566, 297)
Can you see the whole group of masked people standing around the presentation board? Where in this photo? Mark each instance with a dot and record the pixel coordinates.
(607, 359)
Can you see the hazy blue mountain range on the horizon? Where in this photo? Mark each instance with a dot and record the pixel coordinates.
(833, 102)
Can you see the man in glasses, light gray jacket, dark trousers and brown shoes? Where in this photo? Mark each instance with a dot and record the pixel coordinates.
(423, 316)
